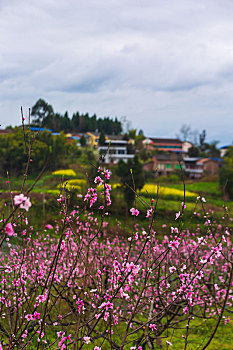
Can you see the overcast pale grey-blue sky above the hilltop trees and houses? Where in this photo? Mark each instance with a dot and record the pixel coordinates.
(161, 64)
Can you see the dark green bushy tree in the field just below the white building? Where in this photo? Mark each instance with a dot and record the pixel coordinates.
(124, 172)
